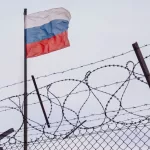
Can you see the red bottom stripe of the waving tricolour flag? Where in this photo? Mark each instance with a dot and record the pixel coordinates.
(48, 45)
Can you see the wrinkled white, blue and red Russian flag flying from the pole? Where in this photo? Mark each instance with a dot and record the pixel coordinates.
(46, 31)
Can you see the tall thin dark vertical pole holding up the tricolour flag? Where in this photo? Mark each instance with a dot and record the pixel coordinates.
(25, 89)
